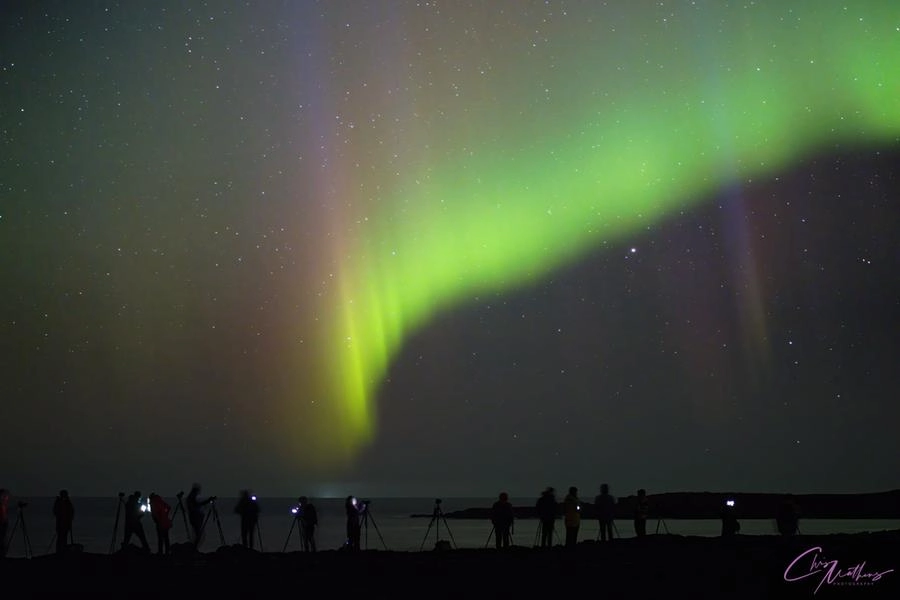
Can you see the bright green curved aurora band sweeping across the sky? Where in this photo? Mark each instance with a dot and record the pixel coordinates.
(749, 96)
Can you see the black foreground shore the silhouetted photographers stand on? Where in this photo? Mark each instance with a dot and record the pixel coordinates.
(657, 566)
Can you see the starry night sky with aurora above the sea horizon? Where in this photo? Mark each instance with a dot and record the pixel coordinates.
(447, 248)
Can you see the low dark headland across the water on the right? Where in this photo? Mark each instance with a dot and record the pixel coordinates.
(708, 505)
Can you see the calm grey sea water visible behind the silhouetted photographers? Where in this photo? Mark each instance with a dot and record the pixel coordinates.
(390, 525)
